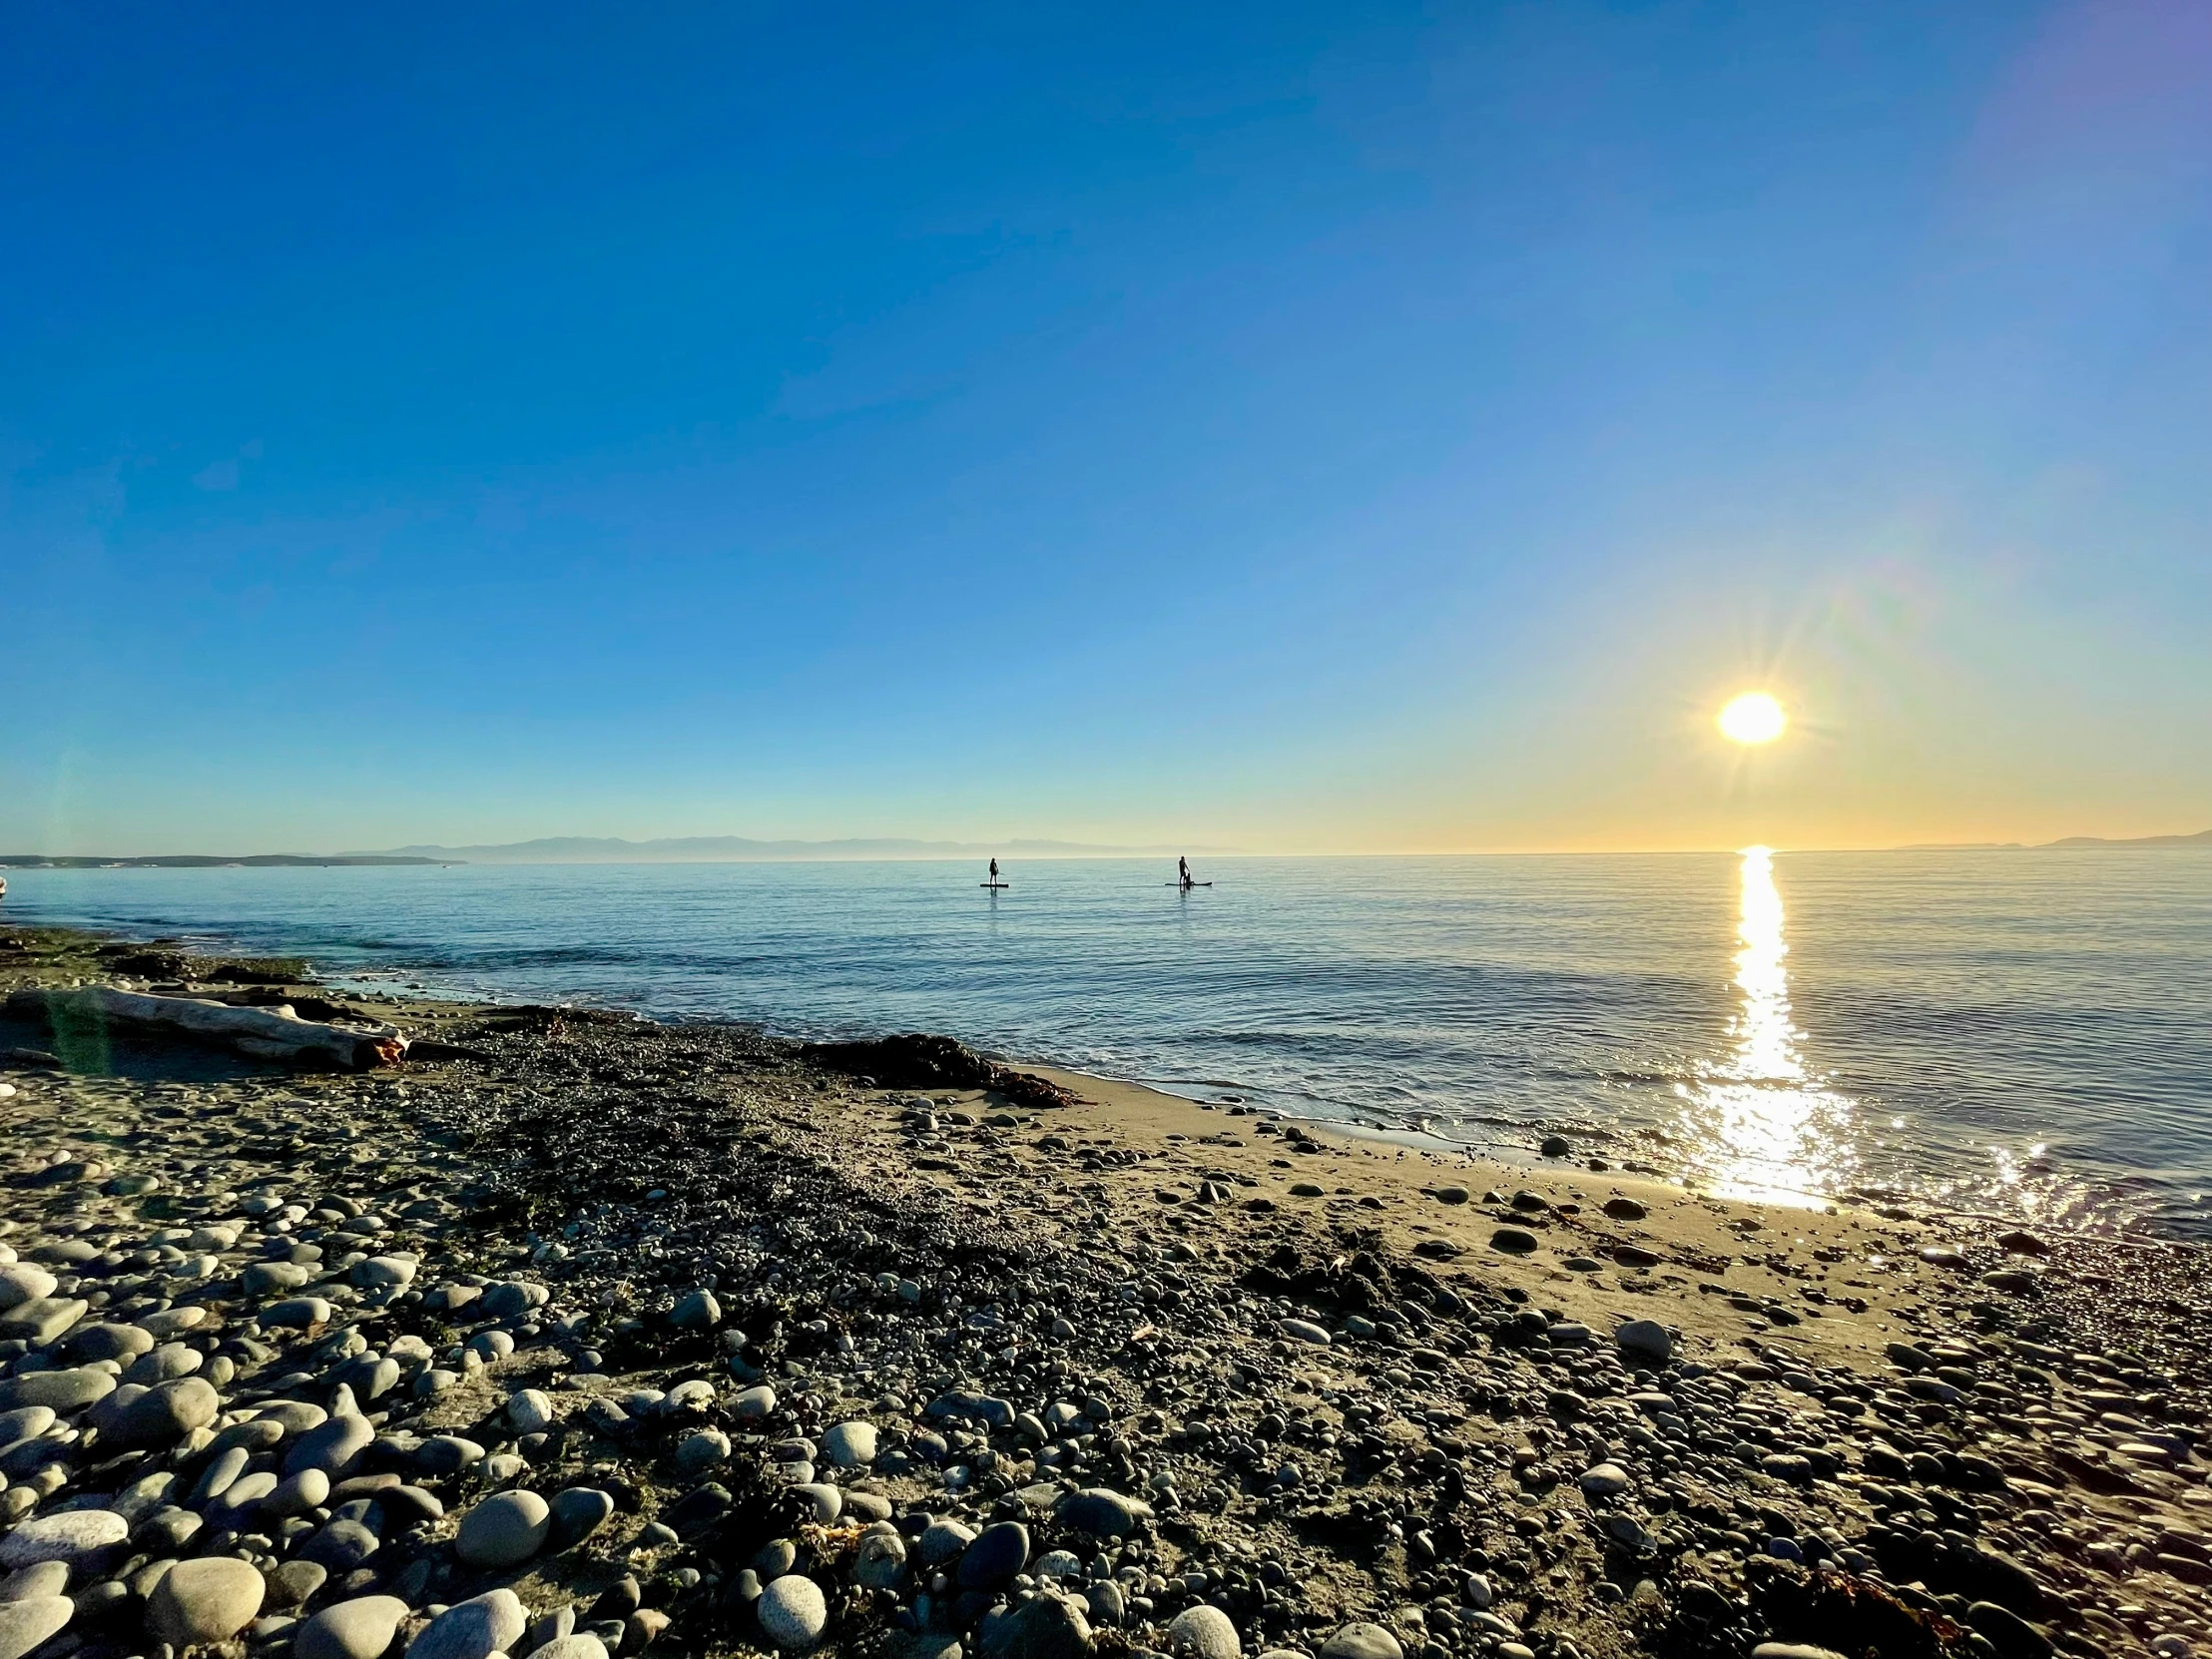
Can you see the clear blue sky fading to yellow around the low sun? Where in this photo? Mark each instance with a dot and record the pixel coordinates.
(1300, 428)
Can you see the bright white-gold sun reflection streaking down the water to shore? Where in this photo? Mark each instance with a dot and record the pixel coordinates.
(1760, 1123)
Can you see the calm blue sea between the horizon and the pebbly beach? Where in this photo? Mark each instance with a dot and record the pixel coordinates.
(2016, 1034)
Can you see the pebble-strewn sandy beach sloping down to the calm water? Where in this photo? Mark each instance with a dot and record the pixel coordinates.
(1348, 1384)
